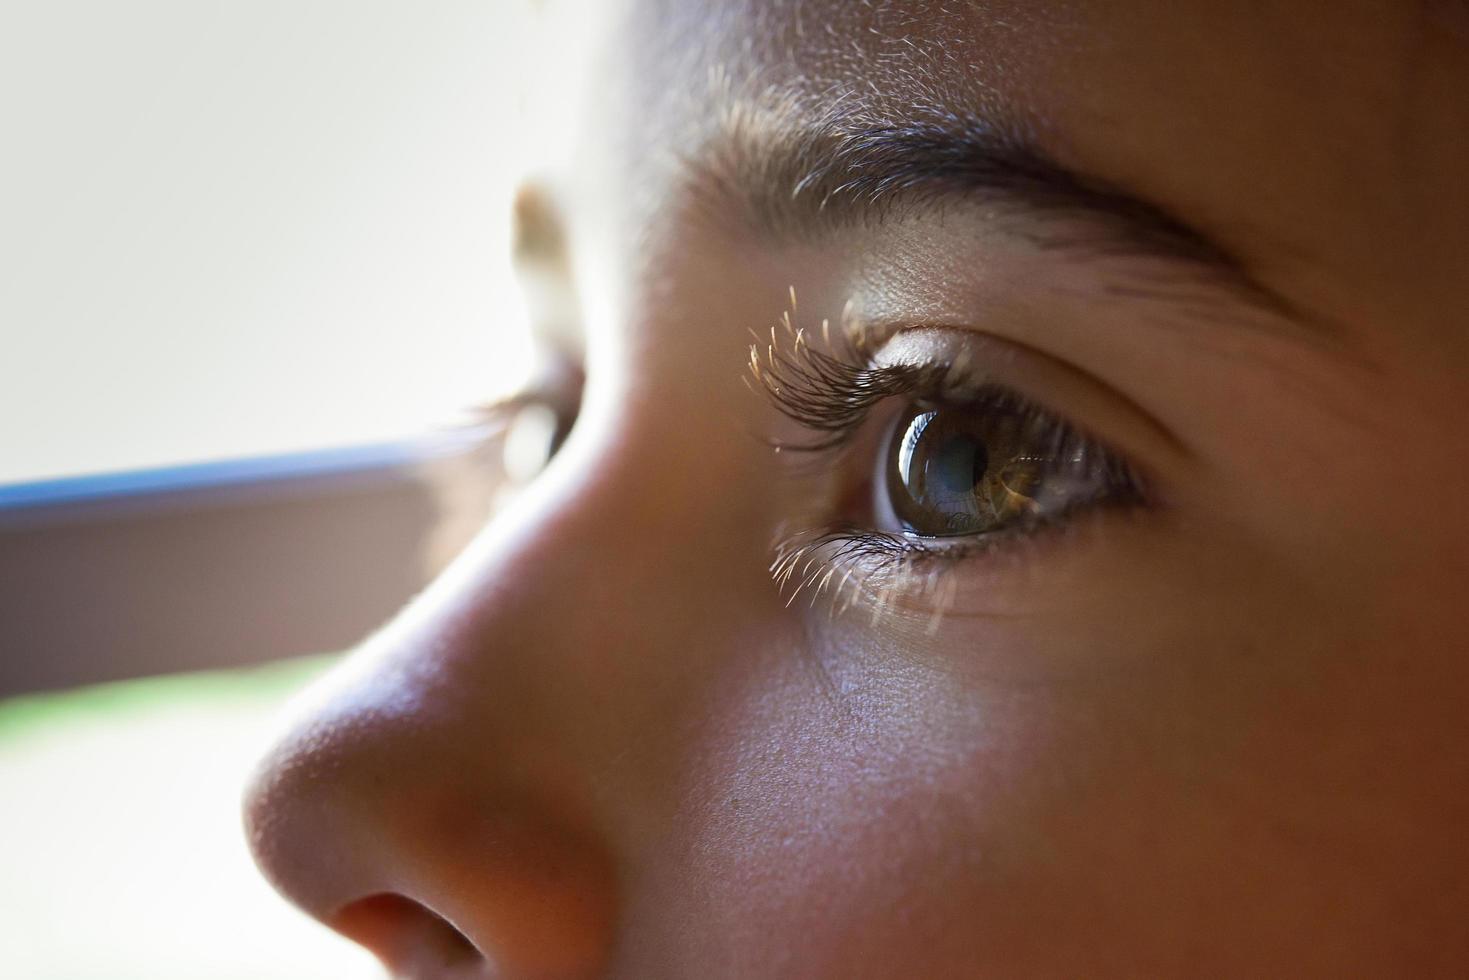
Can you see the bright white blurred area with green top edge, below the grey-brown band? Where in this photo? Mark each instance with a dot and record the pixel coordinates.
(121, 846)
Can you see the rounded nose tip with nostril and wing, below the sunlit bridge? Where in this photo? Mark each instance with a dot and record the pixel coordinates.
(365, 828)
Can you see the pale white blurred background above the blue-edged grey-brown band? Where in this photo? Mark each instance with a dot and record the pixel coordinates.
(240, 228)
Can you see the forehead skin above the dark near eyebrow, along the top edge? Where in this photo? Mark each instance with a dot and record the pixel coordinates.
(1261, 124)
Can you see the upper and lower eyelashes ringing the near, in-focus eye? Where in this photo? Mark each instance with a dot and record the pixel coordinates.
(831, 394)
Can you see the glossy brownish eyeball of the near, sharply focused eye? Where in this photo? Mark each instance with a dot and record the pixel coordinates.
(985, 468)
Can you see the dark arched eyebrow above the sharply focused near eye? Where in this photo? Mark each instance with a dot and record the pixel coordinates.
(794, 180)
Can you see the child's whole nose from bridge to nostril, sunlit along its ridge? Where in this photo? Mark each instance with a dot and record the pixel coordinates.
(461, 796)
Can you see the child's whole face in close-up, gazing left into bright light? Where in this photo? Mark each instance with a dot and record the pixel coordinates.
(1104, 609)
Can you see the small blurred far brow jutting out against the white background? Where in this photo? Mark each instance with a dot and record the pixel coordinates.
(543, 262)
